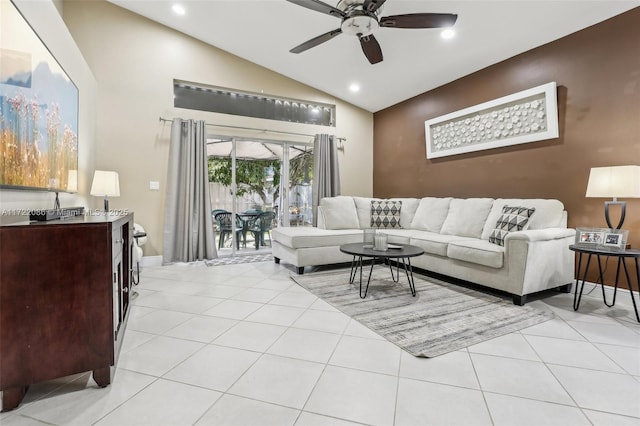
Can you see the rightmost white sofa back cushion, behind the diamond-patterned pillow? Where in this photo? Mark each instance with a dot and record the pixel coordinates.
(549, 213)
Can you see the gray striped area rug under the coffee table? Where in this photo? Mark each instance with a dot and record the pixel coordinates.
(441, 318)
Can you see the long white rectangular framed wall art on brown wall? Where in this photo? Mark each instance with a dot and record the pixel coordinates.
(527, 116)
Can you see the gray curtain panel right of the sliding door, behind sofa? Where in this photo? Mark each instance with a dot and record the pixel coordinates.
(326, 176)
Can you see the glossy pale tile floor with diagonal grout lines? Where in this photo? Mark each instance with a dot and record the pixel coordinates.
(244, 345)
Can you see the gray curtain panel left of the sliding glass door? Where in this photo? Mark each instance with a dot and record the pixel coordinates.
(188, 229)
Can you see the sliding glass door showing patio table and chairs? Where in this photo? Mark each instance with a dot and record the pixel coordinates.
(257, 185)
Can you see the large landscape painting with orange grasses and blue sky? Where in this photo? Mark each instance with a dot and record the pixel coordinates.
(38, 111)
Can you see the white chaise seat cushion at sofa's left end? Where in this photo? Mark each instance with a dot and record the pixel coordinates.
(306, 236)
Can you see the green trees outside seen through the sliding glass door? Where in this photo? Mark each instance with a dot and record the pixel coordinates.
(252, 175)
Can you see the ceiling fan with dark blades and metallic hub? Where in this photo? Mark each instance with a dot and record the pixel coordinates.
(360, 18)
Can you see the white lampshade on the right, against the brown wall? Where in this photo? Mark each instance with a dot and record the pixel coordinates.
(614, 182)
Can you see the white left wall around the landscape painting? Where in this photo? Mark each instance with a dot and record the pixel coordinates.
(48, 24)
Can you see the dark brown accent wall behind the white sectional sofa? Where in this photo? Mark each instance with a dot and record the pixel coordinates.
(598, 75)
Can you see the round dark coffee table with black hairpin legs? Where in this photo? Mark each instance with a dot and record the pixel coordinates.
(402, 255)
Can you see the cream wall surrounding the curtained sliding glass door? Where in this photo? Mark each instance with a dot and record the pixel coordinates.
(135, 61)
